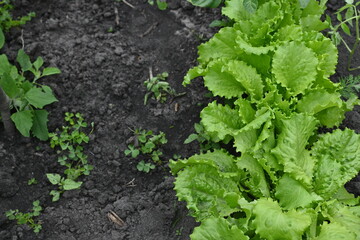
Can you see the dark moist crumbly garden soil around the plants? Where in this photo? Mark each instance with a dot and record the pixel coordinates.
(105, 49)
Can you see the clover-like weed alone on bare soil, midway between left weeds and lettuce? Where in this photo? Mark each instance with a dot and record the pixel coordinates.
(146, 143)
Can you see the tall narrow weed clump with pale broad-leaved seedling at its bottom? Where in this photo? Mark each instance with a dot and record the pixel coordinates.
(70, 140)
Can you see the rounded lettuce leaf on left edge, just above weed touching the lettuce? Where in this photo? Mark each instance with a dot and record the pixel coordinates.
(220, 120)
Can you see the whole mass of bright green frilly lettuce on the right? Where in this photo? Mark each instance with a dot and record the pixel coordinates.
(282, 180)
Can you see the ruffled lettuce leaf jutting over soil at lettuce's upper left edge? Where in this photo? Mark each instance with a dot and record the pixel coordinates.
(221, 45)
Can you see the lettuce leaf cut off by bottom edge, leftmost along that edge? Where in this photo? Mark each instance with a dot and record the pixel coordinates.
(216, 229)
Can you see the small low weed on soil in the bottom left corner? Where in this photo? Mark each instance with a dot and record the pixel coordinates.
(27, 218)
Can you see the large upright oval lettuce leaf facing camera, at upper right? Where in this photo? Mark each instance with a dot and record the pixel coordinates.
(294, 67)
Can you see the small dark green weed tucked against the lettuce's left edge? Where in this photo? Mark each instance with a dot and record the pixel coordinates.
(203, 138)
